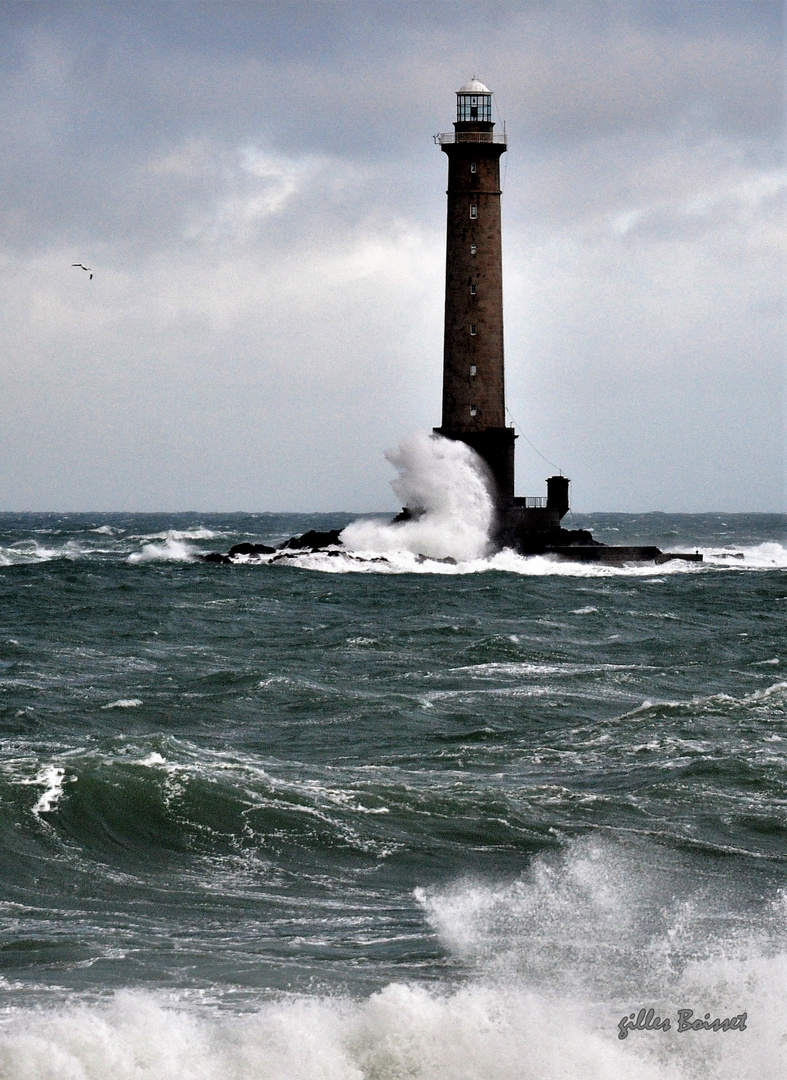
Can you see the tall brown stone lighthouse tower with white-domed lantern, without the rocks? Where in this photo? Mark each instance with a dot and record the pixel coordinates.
(473, 373)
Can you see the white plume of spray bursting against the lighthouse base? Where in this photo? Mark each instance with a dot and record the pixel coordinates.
(444, 484)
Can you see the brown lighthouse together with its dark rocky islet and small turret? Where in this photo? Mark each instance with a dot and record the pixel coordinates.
(473, 369)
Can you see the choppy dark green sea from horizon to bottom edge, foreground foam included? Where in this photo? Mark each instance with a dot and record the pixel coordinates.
(336, 818)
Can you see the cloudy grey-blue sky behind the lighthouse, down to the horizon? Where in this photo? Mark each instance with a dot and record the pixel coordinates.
(256, 188)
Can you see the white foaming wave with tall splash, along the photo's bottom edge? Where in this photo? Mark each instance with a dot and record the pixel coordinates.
(554, 961)
